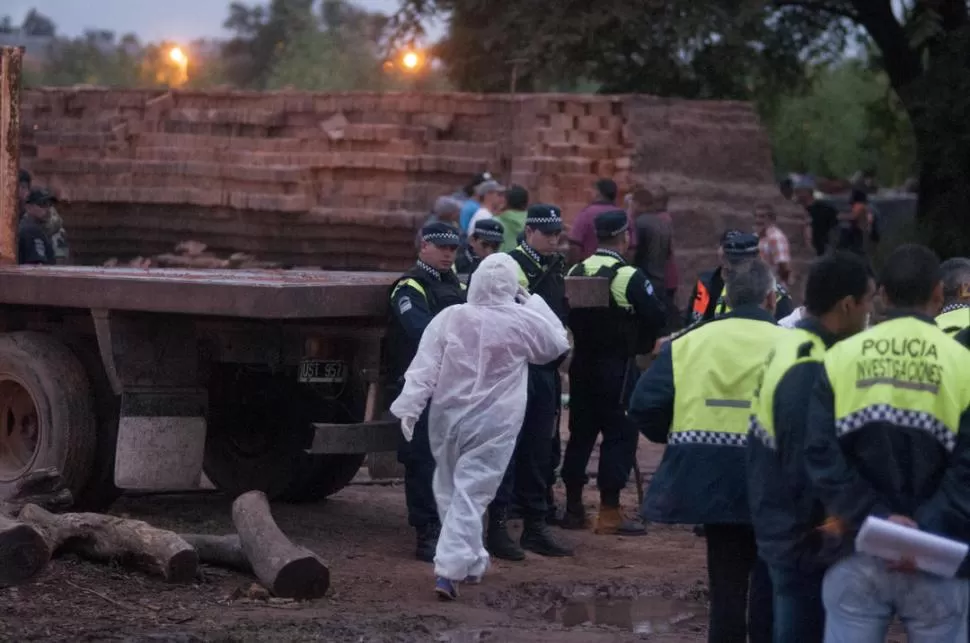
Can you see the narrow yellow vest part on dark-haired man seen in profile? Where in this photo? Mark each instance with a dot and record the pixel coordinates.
(798, 347)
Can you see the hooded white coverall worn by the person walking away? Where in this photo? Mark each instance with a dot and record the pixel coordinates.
(472, 363)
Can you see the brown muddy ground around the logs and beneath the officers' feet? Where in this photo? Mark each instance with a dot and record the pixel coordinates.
(649, 588)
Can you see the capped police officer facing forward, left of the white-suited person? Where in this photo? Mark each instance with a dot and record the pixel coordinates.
(429, 287)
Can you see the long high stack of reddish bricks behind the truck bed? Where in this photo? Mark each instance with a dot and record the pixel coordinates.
(342, 181)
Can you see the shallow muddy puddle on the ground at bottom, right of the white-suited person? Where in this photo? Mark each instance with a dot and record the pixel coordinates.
(643, 615)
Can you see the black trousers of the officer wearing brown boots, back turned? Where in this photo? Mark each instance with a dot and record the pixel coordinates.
(598, 390)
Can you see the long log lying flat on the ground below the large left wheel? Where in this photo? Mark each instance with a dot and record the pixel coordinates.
(107, 538)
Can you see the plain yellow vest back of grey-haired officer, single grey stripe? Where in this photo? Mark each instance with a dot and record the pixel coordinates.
(716, 372)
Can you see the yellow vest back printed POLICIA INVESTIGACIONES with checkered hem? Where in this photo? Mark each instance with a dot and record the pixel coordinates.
(895, 373)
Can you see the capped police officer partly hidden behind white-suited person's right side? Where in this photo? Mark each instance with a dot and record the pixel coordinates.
(532, 471)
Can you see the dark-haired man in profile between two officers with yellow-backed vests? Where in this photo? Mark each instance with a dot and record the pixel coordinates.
(785, 513)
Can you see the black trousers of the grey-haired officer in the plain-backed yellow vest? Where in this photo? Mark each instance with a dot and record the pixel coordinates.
(740, 587)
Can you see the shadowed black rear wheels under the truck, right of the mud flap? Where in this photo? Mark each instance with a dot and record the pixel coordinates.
(258, 427)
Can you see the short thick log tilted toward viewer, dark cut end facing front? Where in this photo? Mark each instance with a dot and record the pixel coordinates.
(286, 569)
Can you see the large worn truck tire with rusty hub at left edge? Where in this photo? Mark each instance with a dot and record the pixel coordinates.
(47, 416)
